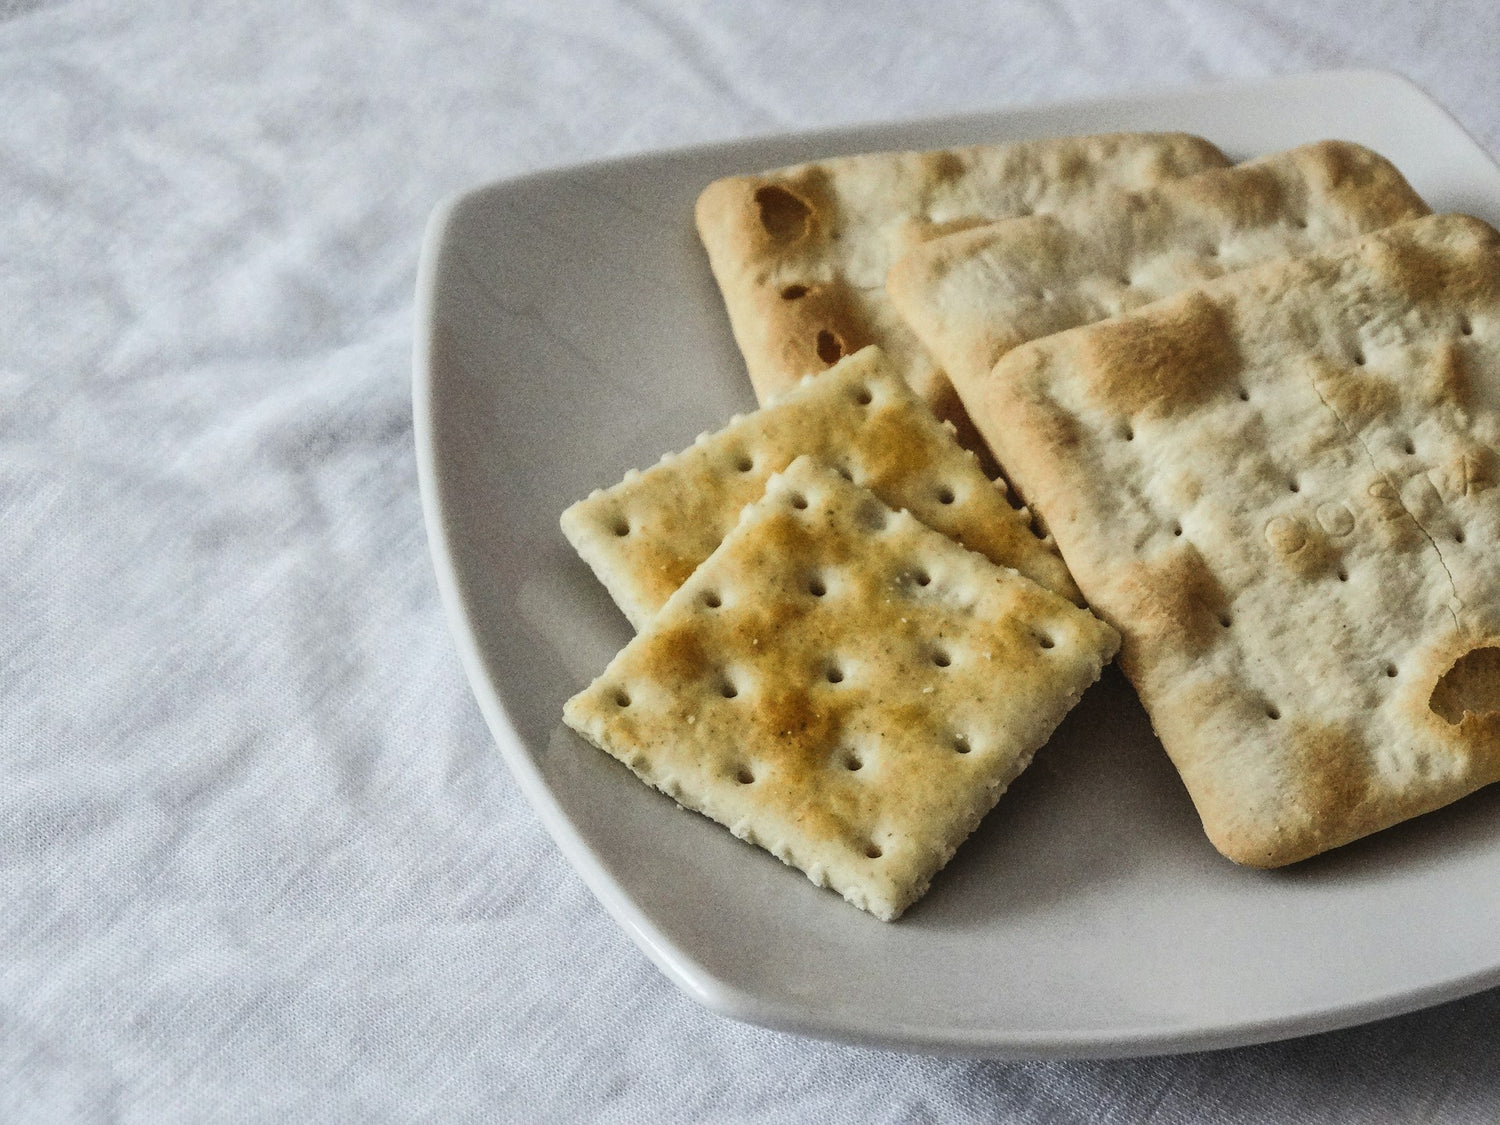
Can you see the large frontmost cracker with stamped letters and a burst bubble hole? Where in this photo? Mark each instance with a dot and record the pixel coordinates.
(1282, 488)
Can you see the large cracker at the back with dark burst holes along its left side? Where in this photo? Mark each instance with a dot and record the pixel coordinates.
(802, 254)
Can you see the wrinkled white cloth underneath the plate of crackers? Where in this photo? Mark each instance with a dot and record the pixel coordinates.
(260, 857)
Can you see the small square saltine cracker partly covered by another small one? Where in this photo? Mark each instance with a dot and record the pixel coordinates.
(644, 536)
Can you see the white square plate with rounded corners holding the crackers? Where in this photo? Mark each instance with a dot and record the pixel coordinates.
(568, 331)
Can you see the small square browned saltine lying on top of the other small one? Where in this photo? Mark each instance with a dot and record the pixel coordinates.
(845, 688)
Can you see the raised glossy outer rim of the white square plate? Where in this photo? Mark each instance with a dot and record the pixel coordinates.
(677, 964)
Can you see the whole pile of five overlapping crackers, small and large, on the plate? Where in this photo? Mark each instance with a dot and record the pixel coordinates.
(1246, 421)
